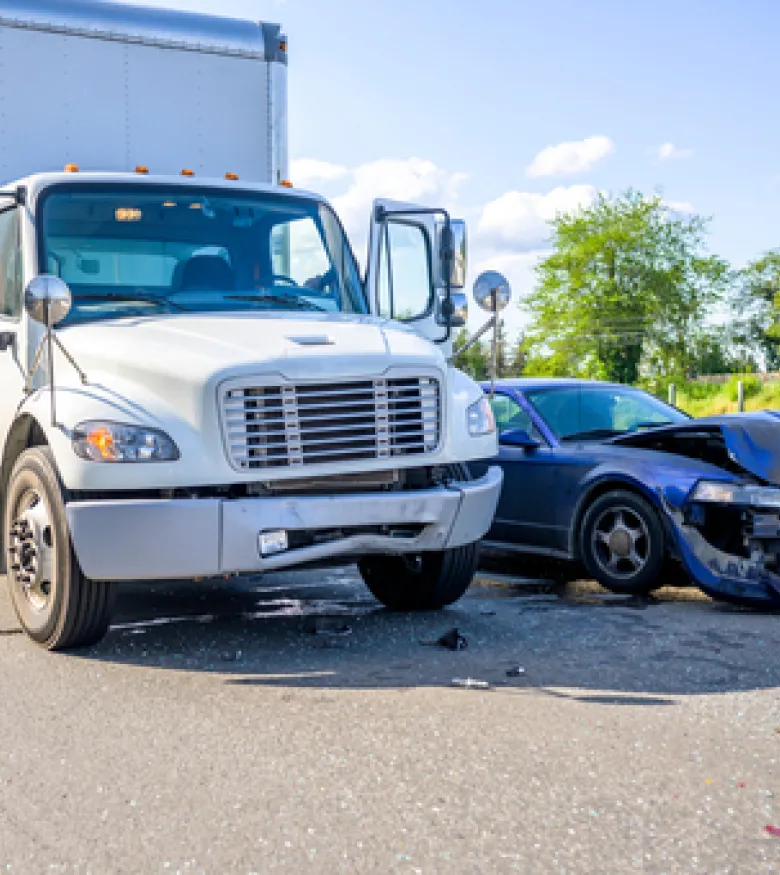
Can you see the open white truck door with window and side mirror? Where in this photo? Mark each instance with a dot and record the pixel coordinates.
(408, 273)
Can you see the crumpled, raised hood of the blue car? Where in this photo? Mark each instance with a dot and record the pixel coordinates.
(745, 442)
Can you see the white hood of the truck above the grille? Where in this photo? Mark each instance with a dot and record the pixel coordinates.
(182, 359)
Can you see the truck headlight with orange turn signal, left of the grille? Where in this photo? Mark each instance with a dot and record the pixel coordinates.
(113, 442)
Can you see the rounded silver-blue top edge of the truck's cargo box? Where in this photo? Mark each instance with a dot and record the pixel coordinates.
(119, 22)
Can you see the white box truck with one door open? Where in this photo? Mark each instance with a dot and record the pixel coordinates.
(196, 381)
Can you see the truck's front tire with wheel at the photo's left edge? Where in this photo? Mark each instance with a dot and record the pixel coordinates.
(57, 606)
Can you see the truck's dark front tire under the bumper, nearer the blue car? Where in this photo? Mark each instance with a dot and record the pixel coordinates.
(425, 581)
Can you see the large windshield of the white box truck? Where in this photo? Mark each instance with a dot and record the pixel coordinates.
(129, 250)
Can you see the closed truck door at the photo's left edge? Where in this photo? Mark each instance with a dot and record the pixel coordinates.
(12, 348)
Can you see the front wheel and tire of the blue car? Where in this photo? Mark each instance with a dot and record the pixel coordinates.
(622, 543)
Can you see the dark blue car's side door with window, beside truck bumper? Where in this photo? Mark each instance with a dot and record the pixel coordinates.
(527, 511)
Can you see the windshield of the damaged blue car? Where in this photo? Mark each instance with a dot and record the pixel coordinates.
(600, 412)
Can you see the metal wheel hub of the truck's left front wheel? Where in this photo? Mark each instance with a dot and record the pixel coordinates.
(31, 551)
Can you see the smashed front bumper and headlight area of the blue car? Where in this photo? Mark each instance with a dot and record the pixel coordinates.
(728, 539)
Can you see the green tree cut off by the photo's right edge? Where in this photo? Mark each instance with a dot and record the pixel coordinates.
(757, 309)
